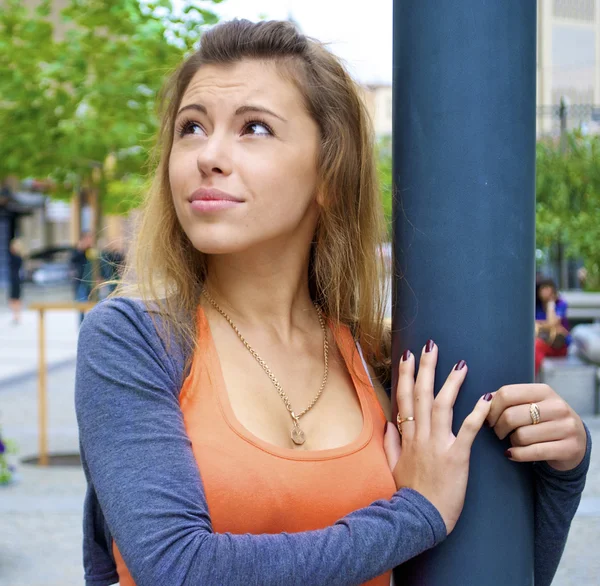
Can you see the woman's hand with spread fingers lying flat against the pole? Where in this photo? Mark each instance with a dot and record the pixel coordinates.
(430, 458)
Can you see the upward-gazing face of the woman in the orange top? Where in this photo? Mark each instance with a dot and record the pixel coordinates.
(243, 164)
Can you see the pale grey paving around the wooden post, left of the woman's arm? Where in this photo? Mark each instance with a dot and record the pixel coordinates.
(41, 514)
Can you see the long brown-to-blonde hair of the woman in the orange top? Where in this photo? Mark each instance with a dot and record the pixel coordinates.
(346, 271)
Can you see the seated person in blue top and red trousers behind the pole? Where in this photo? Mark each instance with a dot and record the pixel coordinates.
(551, 325)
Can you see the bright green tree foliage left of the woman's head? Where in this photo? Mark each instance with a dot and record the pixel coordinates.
(69, 102)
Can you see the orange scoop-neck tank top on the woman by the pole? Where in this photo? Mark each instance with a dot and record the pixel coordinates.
(284, 490)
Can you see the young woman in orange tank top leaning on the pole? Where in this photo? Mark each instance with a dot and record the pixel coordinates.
(230, 431)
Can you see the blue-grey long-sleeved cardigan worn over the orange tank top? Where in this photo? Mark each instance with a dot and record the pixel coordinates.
(145, 489)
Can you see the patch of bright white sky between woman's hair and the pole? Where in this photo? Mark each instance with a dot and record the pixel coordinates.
(361, 36)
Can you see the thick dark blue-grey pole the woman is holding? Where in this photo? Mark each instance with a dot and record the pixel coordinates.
(464, 219)
